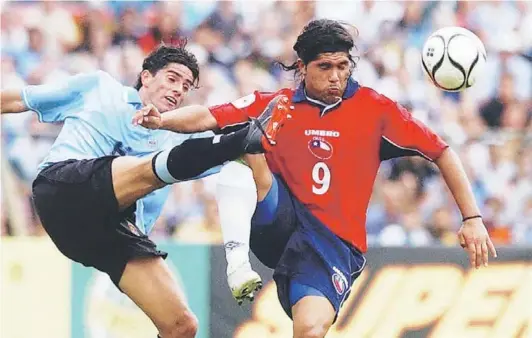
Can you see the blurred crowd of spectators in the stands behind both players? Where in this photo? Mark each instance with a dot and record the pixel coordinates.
(237, 44)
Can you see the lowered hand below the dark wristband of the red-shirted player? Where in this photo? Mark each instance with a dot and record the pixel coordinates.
(476, 242)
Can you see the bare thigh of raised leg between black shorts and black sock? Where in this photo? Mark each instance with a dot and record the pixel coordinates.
(133, 178)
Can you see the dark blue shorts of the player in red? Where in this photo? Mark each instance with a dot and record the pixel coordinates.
(307, 257)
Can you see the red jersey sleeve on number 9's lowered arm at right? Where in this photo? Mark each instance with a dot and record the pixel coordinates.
(406, 134)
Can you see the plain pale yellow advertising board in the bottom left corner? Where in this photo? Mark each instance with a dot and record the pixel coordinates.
(34, 289)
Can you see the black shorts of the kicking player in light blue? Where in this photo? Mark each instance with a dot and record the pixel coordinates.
(77, 206)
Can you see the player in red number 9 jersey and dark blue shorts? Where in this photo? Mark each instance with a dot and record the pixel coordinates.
(314, 187)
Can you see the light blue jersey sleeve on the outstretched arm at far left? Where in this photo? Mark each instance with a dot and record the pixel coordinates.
(55, 102)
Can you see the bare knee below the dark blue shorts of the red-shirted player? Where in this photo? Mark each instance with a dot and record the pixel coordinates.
(309, 322)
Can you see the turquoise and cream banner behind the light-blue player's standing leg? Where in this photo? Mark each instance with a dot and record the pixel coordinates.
(99, 310)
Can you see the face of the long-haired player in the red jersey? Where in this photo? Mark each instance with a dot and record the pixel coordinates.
(326, 76)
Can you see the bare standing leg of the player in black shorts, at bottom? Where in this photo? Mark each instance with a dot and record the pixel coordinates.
(152, 286)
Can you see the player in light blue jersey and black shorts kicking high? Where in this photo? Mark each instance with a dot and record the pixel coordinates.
(104, 182)
